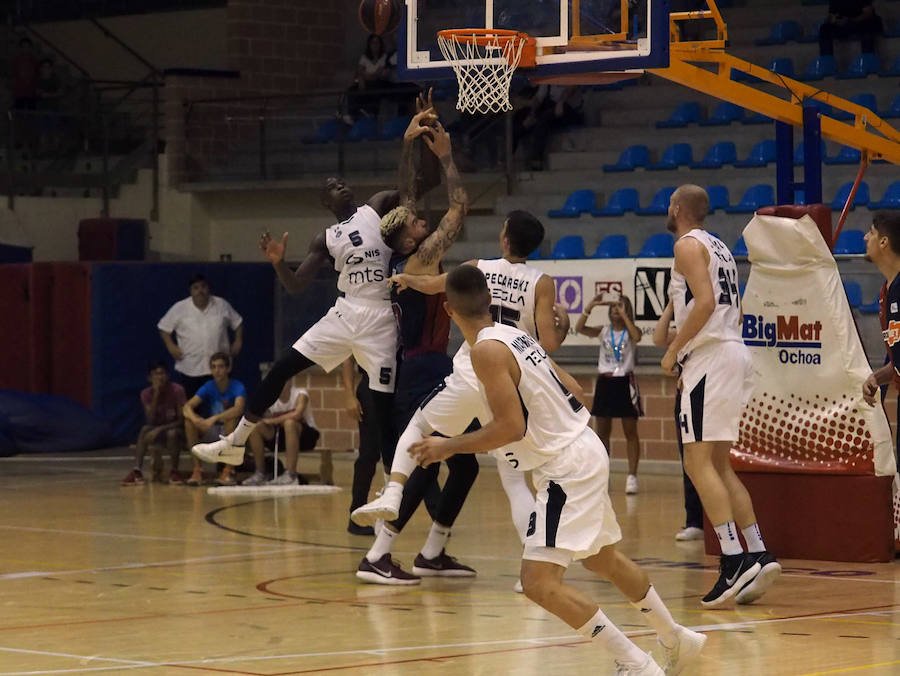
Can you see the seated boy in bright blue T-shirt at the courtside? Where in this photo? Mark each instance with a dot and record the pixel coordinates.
(224, 400)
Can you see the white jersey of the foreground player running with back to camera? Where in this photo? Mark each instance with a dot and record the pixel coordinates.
(554, 418)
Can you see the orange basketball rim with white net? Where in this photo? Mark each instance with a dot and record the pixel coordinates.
(484, 61)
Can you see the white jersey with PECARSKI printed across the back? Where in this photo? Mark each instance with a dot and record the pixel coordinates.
(512, 288)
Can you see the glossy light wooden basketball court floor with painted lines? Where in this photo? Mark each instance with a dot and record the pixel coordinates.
(97, 578)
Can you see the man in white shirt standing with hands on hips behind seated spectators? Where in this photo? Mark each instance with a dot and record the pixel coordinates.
(200, 325)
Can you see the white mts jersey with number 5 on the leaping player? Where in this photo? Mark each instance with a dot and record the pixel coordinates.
(360, 256)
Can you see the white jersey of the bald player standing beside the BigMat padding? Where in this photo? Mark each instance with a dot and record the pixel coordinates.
(724, 323)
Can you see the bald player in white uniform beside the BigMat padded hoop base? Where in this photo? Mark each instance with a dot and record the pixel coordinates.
(716, 383)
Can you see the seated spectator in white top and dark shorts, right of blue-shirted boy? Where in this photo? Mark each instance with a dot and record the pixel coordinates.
(292, 412)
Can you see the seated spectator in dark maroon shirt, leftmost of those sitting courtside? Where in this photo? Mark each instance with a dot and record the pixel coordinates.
(163, 402)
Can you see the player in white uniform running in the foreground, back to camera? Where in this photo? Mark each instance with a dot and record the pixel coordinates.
(543, 427)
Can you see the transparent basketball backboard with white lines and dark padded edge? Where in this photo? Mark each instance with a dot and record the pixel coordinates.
(573, 36)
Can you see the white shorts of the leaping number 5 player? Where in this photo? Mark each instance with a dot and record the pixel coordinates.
(365, 329)
